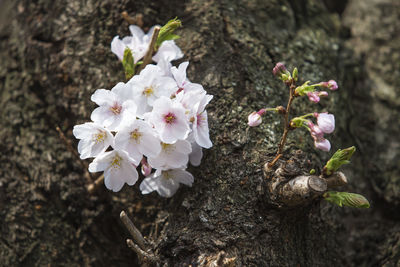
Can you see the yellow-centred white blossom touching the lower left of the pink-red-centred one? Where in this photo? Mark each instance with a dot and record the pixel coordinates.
(138, 138)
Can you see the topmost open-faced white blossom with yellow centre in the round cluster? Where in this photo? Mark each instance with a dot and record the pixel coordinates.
(149, 85)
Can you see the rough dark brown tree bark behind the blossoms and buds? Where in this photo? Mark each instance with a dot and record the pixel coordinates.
(54, 54)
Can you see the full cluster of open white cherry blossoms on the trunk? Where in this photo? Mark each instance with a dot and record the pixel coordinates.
(157, 120)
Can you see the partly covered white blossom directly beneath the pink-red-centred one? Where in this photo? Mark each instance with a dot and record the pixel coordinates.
(172, 155)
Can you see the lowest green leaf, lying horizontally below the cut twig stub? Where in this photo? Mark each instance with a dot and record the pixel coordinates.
(346, 199)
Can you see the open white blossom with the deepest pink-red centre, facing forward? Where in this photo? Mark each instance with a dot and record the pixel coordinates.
(169, 120)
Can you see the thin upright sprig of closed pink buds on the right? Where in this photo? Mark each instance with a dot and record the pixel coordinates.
(325, 121)
